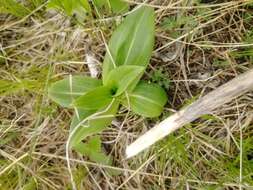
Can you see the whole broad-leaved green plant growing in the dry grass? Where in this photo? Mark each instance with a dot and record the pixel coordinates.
(96, 102)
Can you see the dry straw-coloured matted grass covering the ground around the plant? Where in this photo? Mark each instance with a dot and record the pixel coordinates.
(205, 50)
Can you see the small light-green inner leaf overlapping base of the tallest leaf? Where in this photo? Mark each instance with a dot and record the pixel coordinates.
(123, 77)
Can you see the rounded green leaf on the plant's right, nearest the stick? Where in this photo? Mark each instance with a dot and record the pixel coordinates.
(147, 100)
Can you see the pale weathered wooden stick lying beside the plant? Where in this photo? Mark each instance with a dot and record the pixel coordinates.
(204, 105)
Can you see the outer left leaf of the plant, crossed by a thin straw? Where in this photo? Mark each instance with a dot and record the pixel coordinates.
(65, 91)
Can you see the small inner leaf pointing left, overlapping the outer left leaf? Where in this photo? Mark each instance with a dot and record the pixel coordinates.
(94, 99)
